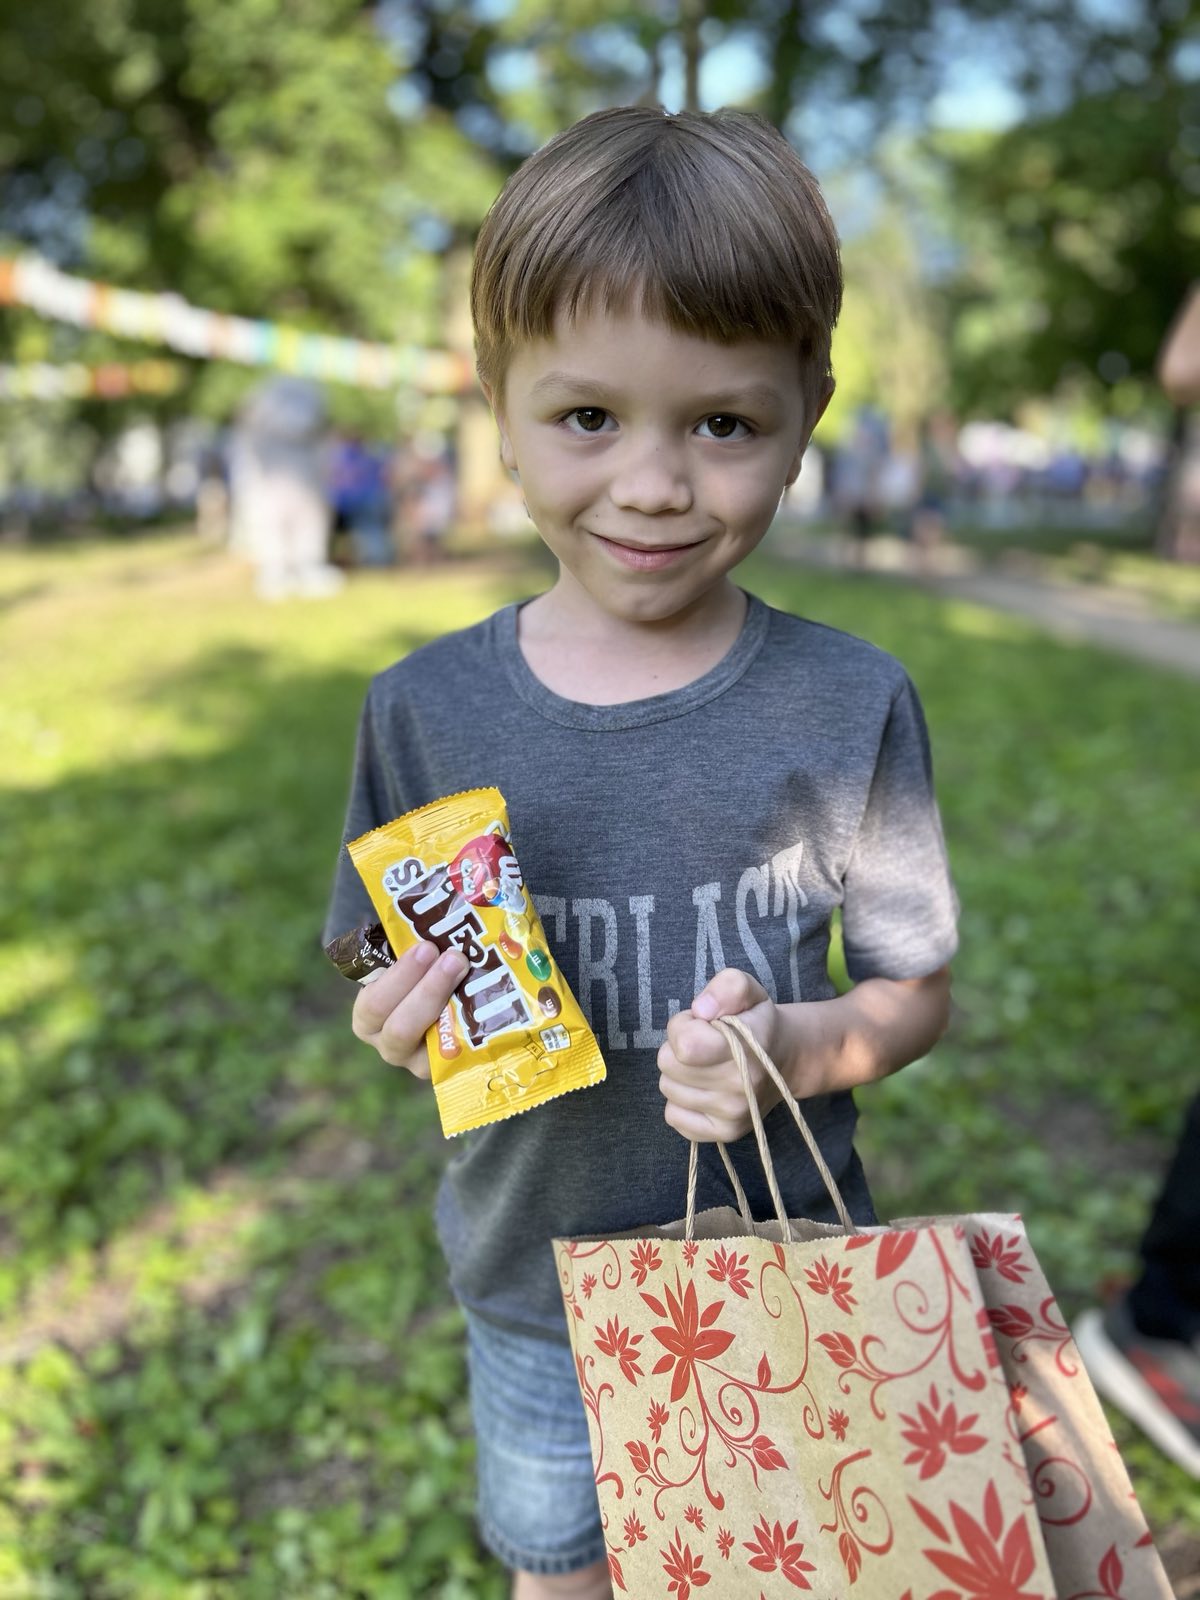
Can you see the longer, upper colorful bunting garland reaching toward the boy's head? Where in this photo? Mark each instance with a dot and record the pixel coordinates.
(169, 319)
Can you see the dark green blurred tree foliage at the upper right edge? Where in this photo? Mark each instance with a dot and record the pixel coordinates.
(1081, 234)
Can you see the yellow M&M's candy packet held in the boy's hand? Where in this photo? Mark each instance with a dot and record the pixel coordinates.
(513, 1034)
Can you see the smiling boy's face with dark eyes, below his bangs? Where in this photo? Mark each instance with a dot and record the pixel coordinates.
(652, 462)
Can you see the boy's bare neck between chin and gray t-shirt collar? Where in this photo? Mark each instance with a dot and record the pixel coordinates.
(591, 657)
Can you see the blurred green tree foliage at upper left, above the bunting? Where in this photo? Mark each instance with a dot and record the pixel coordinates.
(246, 156)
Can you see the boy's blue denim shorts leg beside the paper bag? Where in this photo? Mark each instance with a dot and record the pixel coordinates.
(537, 1492)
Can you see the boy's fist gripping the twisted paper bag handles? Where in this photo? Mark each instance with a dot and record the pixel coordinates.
(698, 1078)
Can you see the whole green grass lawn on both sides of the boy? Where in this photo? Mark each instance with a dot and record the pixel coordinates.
(228, 1362)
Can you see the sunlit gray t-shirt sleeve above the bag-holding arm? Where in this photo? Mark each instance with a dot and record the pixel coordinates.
(900, 908)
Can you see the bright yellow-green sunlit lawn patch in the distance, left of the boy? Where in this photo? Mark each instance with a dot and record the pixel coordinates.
(161, 660)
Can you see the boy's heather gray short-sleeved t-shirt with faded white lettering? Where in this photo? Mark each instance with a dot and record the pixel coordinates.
(663, 839)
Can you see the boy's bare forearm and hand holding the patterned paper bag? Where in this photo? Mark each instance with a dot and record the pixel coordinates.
(822, 1047)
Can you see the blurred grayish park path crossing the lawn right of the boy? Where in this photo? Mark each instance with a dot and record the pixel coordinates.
(1094, 614)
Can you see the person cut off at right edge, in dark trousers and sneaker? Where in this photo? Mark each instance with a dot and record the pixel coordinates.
(1145, 1351)
